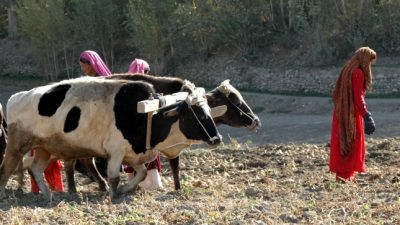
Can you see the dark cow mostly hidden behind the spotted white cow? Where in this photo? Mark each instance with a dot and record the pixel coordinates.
(238, 113)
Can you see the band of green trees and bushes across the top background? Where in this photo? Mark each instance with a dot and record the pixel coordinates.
(166, 33)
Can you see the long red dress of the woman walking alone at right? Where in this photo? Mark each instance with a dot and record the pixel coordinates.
(345, 167)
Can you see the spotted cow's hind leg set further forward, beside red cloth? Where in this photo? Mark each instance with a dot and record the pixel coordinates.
(39, 164)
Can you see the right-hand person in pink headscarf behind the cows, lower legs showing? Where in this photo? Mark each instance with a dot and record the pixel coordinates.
(153, 179)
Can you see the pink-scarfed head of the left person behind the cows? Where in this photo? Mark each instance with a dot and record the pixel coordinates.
(92, 65)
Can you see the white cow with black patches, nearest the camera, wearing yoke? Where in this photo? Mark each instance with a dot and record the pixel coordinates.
(91, 117)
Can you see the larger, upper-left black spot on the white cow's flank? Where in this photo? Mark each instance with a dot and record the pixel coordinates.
(52, 99)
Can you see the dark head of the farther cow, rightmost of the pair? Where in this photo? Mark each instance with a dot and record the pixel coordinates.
(238, 113)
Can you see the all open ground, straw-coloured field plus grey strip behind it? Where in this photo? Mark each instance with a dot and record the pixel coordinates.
(278, 175)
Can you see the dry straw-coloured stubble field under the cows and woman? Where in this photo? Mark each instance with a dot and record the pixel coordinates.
(271, 184)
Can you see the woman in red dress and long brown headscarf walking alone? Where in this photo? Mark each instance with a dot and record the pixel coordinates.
(351, 117)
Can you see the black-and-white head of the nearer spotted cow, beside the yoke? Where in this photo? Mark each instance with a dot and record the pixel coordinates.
(195, 120)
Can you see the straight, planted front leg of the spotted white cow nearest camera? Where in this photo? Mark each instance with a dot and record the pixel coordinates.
(114, 163)
